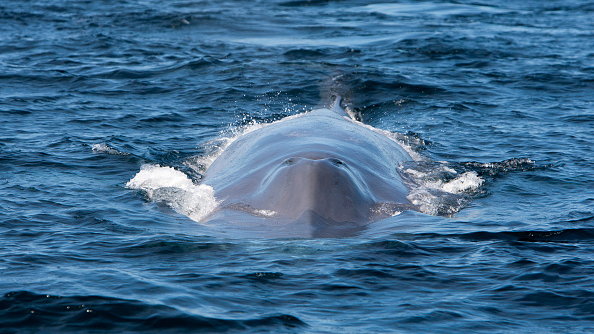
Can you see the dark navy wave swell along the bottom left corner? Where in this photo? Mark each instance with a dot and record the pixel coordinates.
(23, 310)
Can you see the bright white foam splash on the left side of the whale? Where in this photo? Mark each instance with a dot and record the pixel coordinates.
(168, 185)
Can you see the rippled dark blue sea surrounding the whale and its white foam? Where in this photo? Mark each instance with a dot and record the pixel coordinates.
(154, 81)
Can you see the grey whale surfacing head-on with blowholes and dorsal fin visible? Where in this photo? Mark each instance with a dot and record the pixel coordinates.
(318, 174)
